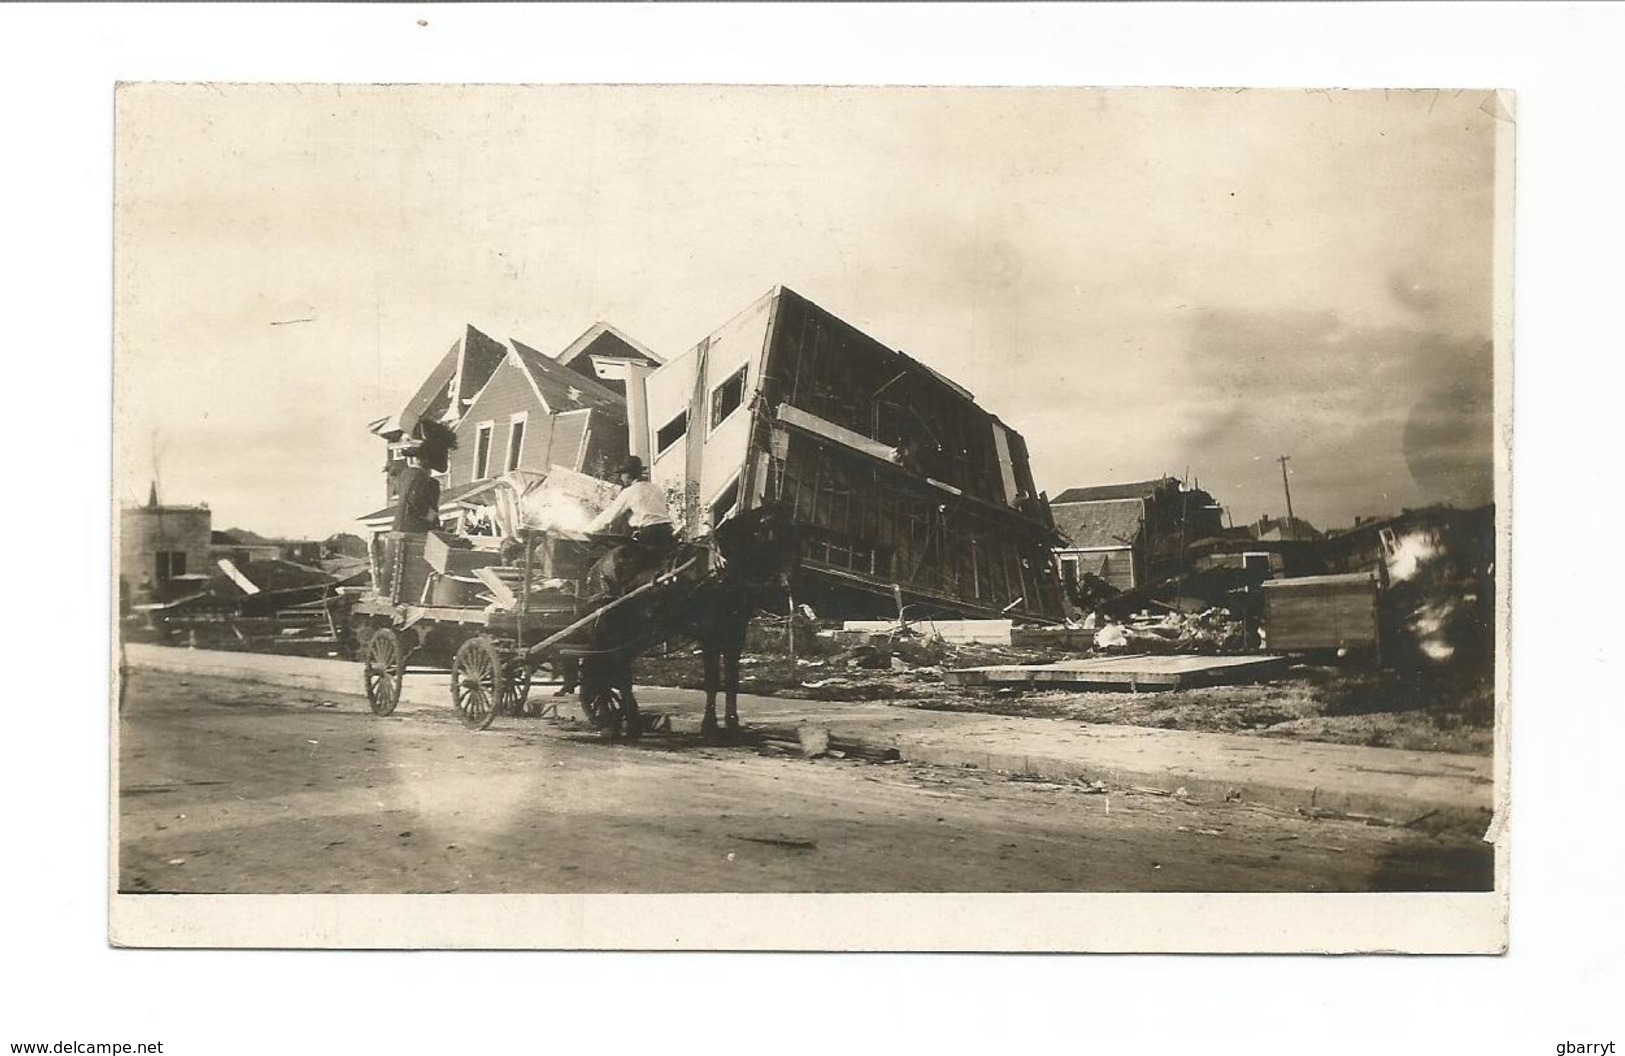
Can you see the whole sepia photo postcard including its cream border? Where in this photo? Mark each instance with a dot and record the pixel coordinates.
(849, 519)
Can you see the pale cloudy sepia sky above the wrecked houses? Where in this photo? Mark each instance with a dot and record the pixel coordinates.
(1142, 282)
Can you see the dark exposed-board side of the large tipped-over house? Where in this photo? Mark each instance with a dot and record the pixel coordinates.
(963, 545)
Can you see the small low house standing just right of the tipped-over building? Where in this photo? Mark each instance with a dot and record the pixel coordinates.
(1132, 535)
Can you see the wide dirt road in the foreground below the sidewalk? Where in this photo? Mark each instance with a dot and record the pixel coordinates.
(233, 787)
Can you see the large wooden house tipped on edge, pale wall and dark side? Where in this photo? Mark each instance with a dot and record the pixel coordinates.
(908, 491)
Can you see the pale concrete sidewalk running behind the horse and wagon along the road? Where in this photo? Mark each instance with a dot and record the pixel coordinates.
(1379, 782)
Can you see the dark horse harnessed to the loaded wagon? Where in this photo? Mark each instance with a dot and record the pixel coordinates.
(752, 560)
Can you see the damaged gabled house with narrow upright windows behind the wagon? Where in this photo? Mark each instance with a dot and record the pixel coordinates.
(516, 409)
